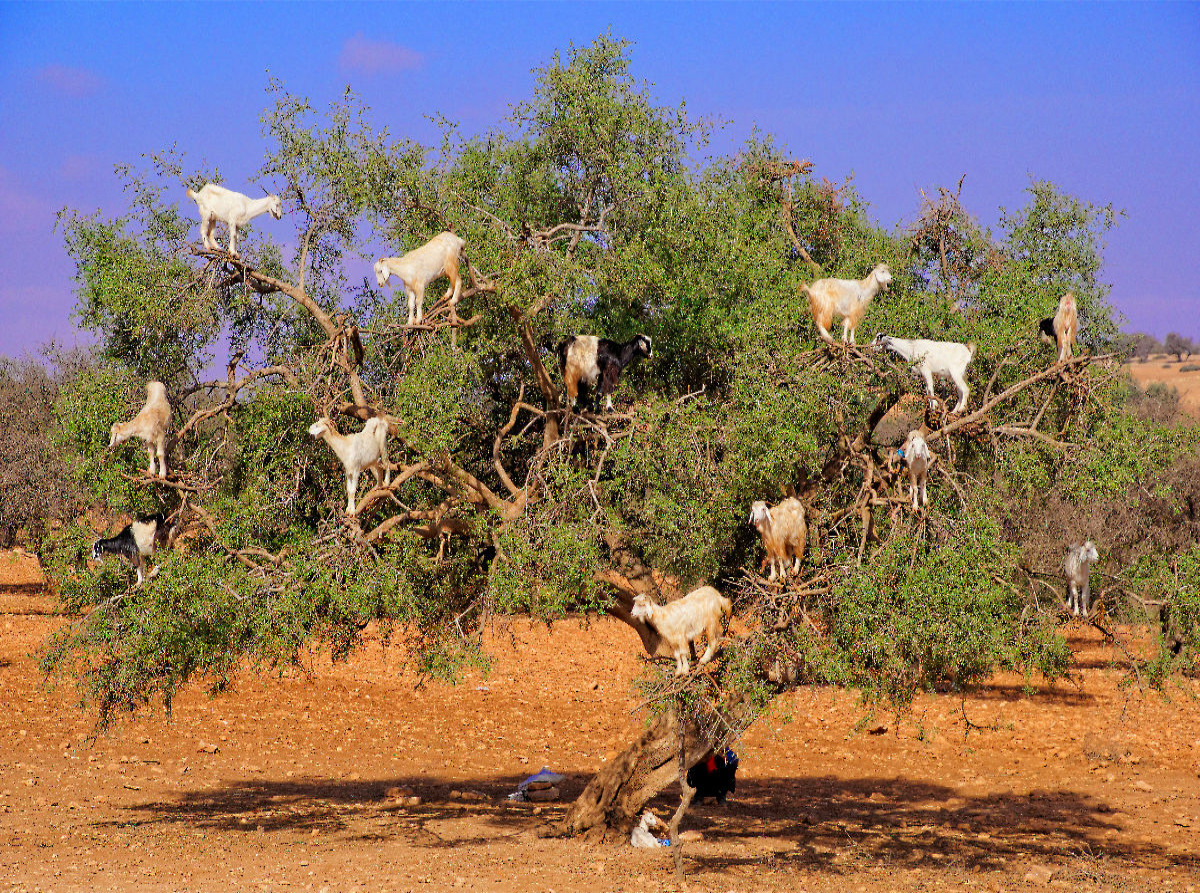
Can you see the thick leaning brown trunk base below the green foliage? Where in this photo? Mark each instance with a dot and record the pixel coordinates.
(619, 794)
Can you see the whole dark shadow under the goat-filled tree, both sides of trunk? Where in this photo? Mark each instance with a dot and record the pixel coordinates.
(825, 824)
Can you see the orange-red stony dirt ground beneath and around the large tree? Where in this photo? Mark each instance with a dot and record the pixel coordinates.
(1081, 787)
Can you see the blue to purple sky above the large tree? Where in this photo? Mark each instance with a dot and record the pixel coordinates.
(1103, 100)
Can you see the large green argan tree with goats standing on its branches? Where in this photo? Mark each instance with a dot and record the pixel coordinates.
(591, 209)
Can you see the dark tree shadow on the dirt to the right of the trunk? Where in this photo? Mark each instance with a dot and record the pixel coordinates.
(837, 825)
